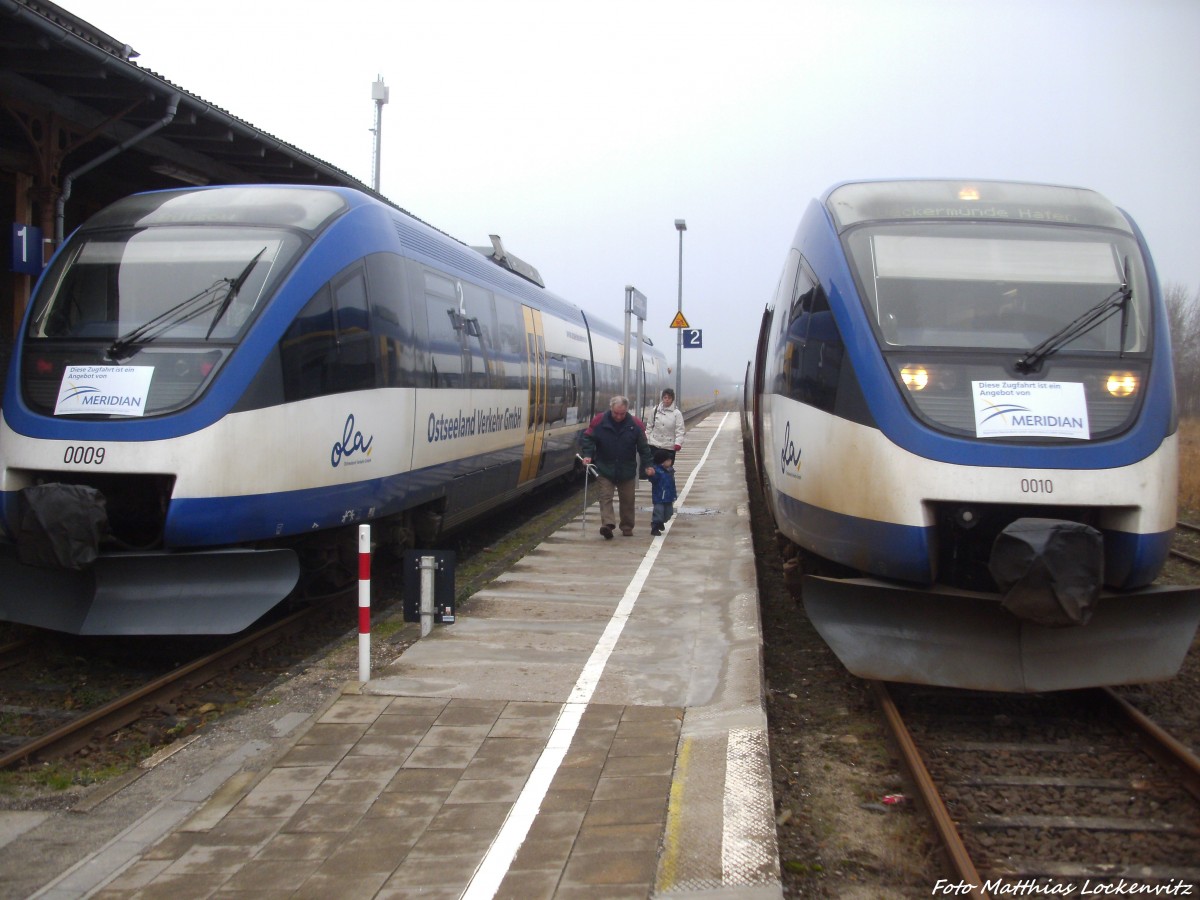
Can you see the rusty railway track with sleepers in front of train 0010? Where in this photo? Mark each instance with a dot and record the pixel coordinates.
(1076, 790)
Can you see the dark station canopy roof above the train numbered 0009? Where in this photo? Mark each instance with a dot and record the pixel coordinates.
(71, 94)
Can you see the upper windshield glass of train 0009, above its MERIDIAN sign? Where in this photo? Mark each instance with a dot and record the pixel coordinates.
(189, 285)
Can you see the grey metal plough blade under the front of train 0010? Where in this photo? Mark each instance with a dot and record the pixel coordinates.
(961, 639)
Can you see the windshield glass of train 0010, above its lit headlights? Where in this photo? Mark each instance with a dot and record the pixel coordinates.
(1000, 286)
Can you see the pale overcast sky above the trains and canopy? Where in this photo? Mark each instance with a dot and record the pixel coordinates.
(579, 133)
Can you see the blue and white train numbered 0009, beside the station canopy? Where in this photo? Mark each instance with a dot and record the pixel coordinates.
(209, 380)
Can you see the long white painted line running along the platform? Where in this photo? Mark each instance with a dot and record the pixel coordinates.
(495, 866)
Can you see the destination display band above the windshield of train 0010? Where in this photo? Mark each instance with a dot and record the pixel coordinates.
(976, 200)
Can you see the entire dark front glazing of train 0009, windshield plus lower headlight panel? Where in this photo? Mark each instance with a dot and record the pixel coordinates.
(170, 302)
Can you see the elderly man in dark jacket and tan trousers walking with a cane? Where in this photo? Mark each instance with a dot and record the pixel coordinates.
(615, 443)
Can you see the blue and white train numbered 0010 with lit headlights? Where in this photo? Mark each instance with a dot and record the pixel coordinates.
(963, 397)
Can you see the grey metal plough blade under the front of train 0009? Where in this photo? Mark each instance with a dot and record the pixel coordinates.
(195, 593)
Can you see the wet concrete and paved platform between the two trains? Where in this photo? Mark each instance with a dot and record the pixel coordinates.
(592, 728)
